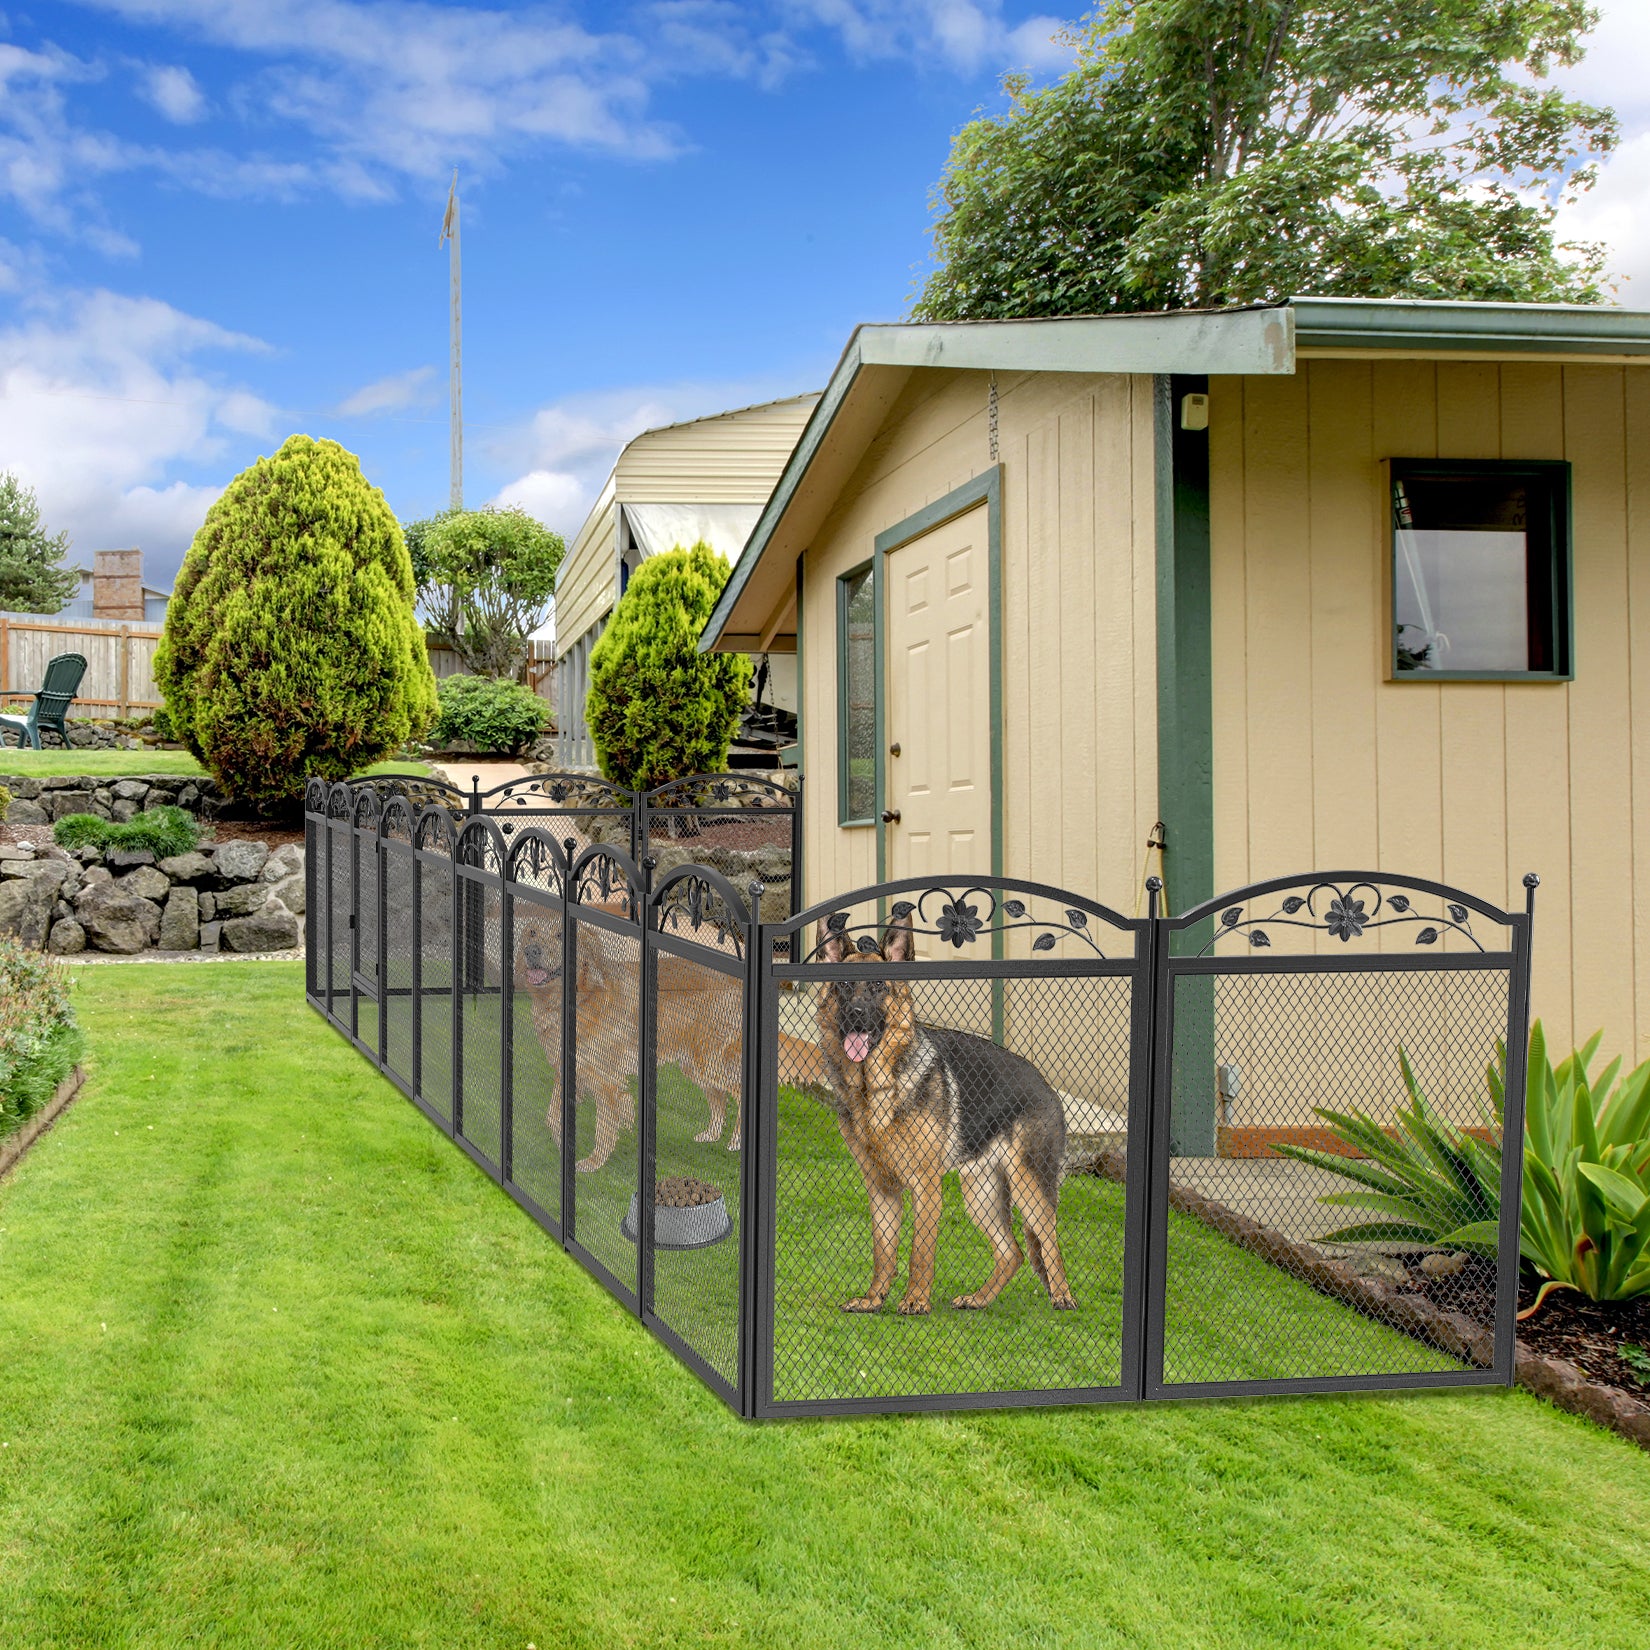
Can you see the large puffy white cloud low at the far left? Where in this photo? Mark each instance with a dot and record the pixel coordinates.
(101, 398)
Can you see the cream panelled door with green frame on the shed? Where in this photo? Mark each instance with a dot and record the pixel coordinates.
(940, 699)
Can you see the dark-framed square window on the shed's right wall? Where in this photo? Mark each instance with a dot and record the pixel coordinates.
(1481, 570)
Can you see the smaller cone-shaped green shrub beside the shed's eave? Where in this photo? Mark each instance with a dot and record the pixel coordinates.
(659, 709)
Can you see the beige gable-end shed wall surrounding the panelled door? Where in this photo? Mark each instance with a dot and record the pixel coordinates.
(1078, 618)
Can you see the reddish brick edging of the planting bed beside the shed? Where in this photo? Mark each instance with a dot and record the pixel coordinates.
(1558, 1382)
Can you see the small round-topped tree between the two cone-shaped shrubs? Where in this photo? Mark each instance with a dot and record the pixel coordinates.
(488, 582)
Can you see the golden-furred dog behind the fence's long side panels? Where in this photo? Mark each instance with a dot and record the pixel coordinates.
(699, 1025)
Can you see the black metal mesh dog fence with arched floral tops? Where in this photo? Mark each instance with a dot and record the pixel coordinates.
(950, 1143)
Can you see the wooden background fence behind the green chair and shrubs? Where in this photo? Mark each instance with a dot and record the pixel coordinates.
(120, 662)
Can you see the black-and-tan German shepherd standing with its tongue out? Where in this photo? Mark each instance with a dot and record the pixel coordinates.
(915, 1103)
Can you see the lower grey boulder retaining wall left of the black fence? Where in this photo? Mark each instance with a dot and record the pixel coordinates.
(237, 897)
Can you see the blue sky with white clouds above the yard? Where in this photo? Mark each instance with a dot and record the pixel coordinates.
(219, 225)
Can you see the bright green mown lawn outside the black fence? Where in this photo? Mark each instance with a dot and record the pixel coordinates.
(285, 1369)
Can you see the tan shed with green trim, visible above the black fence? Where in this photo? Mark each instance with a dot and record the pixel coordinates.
(1332, 583)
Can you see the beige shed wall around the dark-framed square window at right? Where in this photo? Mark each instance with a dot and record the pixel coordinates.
(1321, 761)
